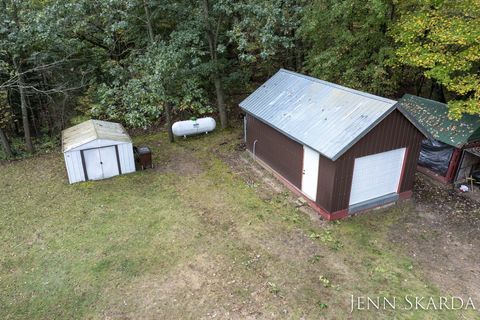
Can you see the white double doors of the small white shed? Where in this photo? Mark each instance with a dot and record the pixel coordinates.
(101, 163)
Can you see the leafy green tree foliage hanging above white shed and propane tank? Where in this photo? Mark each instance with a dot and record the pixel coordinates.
(166, 75)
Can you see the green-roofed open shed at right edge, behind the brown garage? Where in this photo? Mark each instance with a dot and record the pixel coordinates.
(451, 153)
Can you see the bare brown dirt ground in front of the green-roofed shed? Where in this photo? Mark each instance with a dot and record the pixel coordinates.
(443, 237)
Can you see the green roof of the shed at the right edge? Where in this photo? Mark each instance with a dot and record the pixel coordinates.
(432, 117)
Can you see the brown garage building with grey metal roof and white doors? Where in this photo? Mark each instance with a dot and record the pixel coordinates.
(345, 150)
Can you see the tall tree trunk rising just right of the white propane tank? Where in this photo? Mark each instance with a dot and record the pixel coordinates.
(211, 36)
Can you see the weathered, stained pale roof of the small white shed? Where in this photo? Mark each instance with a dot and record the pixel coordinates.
(91, 130)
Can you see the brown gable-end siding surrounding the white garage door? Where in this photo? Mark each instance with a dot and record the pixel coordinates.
(394, 132)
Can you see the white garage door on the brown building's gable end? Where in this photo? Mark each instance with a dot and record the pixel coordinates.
(376, 175)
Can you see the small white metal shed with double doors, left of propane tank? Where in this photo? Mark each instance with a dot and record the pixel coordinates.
(95, 150)
